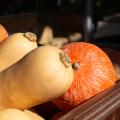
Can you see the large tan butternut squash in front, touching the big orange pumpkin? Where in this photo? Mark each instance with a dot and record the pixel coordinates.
(38, 77)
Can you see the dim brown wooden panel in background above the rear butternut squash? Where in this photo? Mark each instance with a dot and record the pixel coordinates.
(20, 22)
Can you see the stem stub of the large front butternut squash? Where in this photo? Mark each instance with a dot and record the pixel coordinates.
(65, 59)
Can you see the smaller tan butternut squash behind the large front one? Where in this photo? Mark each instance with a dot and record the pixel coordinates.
(15, 47)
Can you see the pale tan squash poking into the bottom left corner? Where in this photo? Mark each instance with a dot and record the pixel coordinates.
(13, 114)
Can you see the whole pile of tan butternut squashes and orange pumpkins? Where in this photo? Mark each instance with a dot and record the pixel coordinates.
(31, 75)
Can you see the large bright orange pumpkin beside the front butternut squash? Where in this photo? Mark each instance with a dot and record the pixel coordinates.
(95, 74)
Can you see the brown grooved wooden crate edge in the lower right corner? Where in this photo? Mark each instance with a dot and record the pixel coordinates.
(98, 107)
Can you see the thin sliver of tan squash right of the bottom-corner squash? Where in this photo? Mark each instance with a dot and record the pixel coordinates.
(33, 115)
